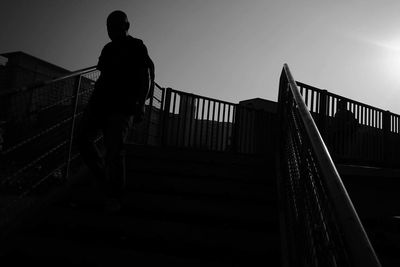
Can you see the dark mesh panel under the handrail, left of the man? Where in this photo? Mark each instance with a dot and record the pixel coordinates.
(37, 128)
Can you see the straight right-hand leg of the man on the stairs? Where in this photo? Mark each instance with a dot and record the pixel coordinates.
(115, 132)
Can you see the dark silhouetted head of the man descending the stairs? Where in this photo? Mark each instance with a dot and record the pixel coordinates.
(117, 25)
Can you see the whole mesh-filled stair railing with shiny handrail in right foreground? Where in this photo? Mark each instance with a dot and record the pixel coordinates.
(320, 226)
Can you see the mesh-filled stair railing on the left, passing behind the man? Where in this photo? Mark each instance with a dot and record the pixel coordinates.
(38, 126)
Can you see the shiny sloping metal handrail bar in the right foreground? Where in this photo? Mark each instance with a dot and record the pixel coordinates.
(355, 236)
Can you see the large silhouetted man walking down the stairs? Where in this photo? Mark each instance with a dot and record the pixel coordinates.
(127, 76)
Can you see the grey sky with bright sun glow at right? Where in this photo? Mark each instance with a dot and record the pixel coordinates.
(227, 49)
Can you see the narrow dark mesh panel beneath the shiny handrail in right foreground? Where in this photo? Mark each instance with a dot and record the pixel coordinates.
(313, 224)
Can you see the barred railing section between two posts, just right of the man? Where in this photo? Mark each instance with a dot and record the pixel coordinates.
(199, 122)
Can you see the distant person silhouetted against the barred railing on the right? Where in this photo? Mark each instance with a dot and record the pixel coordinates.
(345, 127)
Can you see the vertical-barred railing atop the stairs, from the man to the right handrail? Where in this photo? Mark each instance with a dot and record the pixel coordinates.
(199, 122)
